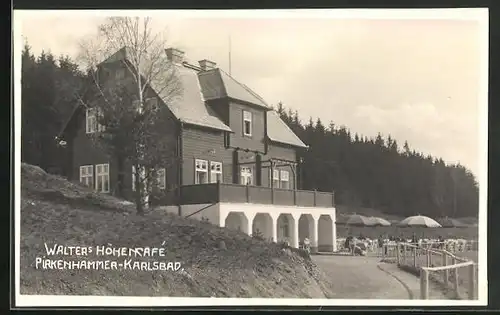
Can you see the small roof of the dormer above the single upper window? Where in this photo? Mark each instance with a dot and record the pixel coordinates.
(216, 84)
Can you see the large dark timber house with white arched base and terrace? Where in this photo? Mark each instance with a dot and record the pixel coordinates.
(238, 160)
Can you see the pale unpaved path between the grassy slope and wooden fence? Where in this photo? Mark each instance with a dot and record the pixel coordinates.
(363, 277)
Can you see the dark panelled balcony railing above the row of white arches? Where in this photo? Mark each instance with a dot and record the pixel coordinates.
(222, 192)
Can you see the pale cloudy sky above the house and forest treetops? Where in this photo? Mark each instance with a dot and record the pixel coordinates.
(416, 79)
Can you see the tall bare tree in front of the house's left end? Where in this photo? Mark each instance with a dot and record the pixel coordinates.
(130, 80)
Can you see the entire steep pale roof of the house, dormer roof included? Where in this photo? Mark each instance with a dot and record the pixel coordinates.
(200, 86)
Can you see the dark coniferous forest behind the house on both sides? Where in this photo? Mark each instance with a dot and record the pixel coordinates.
(380, 173)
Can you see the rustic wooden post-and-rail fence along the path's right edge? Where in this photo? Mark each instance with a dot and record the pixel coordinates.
(435, 264)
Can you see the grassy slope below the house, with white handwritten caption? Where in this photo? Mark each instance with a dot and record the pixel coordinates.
(55, 211)
